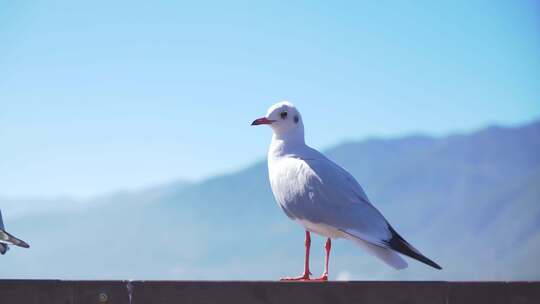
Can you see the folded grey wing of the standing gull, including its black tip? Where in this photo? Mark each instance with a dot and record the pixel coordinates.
(338, 200)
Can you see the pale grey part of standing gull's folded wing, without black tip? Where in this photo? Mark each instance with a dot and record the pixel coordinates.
(333, 197)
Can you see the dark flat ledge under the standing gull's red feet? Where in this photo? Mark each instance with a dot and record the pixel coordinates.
(223, 292)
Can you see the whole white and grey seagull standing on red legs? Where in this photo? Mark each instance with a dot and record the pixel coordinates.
(324, 198)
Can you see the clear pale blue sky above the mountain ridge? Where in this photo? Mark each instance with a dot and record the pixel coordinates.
(100, 96)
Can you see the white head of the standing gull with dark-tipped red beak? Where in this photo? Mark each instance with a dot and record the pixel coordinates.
(283, 117)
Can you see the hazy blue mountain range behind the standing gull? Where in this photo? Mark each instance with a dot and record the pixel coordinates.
(471, 202)
